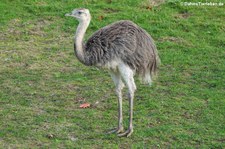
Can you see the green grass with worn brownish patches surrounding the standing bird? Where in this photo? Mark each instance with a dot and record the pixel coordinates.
(42, 83)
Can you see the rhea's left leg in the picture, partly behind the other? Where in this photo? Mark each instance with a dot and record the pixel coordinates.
(119, 86)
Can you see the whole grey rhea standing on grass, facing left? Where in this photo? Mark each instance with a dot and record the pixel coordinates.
(124, 49)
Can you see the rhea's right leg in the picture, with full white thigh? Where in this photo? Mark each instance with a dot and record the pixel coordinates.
(127, 75)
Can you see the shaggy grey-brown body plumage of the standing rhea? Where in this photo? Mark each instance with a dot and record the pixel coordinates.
(126, 41)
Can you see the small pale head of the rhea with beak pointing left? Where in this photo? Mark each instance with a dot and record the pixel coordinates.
(81, 14)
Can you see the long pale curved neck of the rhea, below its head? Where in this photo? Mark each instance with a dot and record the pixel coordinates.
(79, 36)
